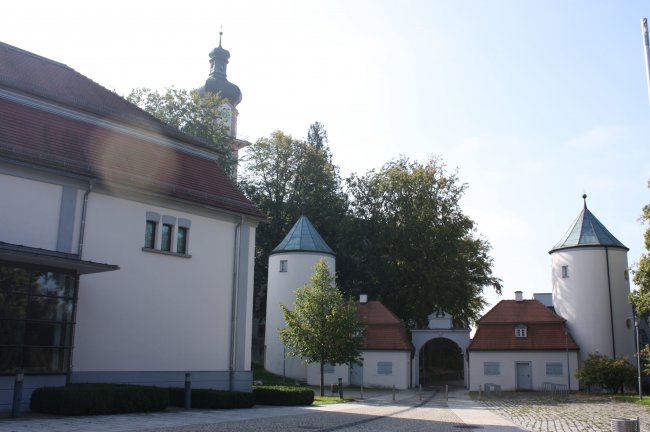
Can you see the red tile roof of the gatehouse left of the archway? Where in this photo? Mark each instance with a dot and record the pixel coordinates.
(384, 331)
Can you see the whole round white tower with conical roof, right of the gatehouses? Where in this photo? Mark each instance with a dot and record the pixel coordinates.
(591, 287)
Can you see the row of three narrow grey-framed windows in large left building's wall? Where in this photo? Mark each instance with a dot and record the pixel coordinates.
(167, 233)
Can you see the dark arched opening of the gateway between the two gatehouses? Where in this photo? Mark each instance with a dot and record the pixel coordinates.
(441, 362)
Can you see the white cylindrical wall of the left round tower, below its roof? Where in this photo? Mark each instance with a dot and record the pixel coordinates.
(280, 290)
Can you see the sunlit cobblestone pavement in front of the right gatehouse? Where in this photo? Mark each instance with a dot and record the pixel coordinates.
(536, 412)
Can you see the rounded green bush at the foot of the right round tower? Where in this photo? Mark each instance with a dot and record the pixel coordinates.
(613, 374)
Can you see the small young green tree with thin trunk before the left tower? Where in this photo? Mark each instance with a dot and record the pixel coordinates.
(323, 326)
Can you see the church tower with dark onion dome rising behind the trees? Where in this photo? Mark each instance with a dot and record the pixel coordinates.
(217, 82)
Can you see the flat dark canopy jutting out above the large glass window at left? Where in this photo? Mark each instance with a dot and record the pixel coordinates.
(47, 258)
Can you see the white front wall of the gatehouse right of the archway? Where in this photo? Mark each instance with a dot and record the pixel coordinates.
(507, 379)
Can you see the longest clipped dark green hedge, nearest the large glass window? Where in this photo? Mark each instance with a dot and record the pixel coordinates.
(92, 399)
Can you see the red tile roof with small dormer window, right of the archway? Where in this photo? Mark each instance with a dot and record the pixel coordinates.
(545, 329)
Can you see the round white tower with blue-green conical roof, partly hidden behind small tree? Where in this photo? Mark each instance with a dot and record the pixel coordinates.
(291, 265)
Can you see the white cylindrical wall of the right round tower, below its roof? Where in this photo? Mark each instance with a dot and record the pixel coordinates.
(583, 299)
